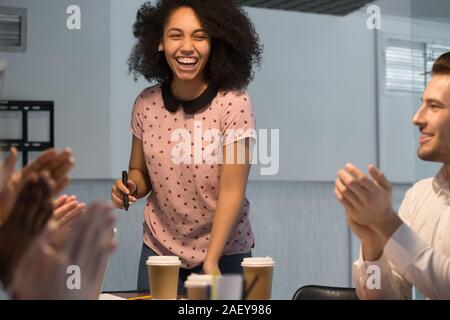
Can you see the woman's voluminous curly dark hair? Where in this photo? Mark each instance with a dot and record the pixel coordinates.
(235, 47)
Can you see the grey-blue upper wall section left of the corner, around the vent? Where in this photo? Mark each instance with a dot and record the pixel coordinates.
(71, 68)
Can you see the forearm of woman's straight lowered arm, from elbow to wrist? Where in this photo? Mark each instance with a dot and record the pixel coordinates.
(225, 218)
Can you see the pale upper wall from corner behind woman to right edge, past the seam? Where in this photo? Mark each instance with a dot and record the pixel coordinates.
(318, 85)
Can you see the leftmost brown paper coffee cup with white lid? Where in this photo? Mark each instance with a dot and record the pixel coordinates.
(163, 272)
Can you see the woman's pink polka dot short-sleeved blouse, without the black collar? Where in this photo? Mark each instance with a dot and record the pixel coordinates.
(178, 214)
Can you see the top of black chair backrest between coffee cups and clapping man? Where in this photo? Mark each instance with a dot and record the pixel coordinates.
(325, 293)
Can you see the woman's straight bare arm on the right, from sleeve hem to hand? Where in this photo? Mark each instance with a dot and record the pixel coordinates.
(232, 186)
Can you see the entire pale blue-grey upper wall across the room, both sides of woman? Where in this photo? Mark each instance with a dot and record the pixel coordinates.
(317, 85)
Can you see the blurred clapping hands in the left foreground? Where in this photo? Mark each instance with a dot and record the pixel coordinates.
(41, 236)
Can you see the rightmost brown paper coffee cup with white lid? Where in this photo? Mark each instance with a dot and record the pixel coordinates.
(258, 274)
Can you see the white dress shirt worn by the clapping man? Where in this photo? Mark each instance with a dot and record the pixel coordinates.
(418, 253)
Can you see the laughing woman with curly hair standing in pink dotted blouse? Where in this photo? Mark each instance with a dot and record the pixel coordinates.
(201, 54)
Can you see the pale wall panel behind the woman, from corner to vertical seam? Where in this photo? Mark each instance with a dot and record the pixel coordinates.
(313, 84)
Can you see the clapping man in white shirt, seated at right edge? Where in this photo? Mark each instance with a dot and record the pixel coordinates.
(413, 247)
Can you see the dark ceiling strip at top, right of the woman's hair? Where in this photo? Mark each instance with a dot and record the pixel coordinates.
(333, 7)
